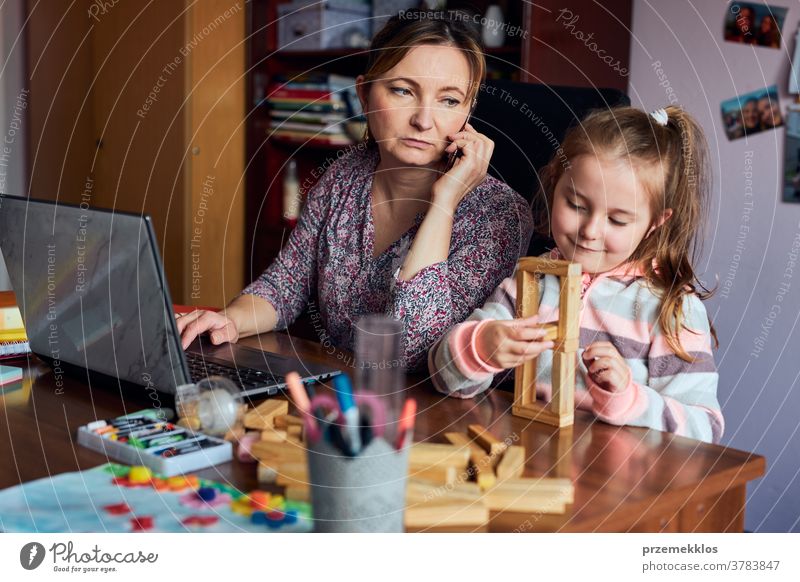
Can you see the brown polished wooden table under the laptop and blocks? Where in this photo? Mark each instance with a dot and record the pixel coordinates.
(626, 479)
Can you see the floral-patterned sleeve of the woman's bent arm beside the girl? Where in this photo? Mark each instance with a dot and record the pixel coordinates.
(484, 249)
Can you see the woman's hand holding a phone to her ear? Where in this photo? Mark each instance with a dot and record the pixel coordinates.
(468, 171)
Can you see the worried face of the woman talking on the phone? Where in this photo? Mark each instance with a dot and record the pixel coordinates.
(419, 102)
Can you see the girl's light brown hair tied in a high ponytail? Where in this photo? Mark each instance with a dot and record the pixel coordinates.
(670, 162)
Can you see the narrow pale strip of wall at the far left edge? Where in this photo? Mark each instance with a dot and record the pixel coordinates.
(12, 67)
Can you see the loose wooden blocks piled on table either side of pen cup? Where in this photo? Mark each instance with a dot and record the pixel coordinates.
(450, 485)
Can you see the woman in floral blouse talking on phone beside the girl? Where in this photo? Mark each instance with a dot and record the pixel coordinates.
(399, 226)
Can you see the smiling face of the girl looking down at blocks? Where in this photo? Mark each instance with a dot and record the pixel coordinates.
(601, 213)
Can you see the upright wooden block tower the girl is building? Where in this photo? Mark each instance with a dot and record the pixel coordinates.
(560, 410)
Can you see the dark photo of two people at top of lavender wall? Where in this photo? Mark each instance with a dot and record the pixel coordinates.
(755, 24)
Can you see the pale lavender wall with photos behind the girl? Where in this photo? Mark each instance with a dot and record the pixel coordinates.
(759, 391)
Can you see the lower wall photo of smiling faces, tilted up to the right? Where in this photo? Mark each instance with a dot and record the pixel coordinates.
(751, 113)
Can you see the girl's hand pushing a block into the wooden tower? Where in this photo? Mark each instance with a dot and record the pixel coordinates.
(510, 343)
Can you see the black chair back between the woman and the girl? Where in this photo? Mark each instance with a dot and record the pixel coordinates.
(527, 123)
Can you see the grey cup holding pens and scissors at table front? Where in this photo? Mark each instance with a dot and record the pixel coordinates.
(358, 494)
